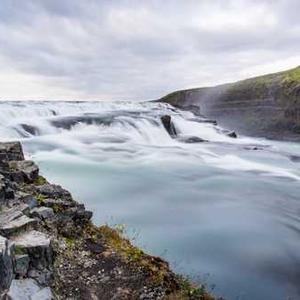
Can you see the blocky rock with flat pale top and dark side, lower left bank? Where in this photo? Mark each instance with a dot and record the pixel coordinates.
(38, 246)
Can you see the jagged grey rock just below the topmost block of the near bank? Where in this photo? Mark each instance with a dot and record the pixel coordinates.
(24, 171)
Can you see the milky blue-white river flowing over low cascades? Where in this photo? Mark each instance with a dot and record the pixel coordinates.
(225, 212)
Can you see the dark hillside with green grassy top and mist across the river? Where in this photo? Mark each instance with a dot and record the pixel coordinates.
(267, 106)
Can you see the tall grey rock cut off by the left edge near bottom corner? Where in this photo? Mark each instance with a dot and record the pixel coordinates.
(6, 265)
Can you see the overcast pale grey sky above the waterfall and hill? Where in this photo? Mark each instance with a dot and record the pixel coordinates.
(97, 49)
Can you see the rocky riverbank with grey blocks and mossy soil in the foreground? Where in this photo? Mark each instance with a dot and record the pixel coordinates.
(50, 249)
